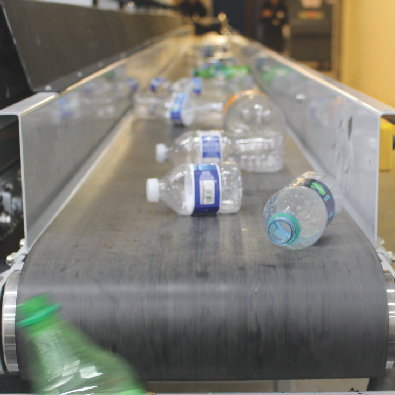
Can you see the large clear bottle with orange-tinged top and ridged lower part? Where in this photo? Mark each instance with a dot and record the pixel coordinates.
(259, 126)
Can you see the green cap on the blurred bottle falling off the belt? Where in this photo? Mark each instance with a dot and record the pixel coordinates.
(35, 310)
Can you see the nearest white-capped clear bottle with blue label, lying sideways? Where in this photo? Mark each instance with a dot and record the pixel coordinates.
(199, 189)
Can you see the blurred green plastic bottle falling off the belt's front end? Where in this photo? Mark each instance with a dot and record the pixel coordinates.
(65, 361)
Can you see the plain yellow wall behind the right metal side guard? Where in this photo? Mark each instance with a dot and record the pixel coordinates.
(368, 47)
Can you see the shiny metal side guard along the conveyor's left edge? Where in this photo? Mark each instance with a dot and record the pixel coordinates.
(61, 135)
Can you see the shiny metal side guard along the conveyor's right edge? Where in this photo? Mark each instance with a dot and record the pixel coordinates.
(336, 127)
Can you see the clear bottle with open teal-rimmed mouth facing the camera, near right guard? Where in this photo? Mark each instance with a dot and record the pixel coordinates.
(296, 216)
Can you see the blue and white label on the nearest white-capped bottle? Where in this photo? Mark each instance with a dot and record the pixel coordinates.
(207, 188)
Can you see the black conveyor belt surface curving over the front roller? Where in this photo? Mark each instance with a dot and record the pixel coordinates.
(208, 298)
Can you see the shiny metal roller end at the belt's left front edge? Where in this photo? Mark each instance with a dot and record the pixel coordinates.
(8, 322)
